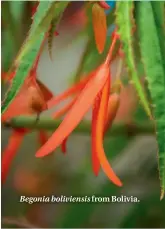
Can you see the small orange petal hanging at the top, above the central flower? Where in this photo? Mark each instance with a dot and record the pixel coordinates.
(99, 26)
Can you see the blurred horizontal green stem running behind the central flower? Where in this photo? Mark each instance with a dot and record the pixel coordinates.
(84, 127)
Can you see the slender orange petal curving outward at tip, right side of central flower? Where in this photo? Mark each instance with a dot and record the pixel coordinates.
(99, 142)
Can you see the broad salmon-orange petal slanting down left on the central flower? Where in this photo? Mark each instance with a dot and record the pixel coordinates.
(77, 112)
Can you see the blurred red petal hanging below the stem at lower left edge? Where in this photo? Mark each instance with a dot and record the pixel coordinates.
(11, 150)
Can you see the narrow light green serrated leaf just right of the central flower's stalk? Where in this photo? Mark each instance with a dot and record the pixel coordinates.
(124, 21)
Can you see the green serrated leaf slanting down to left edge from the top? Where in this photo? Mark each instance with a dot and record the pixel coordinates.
(28, 57)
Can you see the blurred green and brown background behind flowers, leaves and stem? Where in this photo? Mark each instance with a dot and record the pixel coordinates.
(133, 157)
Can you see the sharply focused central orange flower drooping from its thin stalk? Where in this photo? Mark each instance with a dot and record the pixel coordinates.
(94, 92)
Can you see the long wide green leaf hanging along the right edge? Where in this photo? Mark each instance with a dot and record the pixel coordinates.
(155, 75)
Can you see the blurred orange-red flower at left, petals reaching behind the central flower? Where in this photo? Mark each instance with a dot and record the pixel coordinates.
(30, 100)
